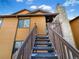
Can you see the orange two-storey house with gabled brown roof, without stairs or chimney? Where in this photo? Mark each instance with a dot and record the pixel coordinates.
(15, 28)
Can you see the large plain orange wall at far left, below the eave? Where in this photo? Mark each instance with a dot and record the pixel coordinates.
(7, 35)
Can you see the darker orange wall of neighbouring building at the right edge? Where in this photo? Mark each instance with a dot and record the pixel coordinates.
(75, 30)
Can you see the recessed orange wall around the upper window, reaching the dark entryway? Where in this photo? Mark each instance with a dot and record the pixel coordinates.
(22, 33)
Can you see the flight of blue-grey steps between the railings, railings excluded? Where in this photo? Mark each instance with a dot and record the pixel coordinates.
(43, 49)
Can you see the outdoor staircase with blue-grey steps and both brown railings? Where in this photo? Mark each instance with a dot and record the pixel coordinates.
(40, 47)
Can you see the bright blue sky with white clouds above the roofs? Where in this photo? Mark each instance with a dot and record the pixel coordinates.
(12, 6)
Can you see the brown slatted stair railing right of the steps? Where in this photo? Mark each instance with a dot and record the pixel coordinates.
(62, 47)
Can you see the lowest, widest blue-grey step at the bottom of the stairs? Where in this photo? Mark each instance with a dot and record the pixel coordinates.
(44, 56)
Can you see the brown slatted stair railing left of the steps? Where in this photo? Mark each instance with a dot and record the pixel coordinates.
(24, 52)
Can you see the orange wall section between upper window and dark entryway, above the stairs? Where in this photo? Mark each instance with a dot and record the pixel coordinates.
(40, 22)
